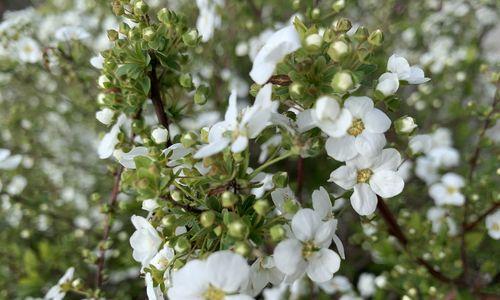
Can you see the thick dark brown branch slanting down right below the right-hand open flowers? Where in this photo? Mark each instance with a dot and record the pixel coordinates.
(396, 231)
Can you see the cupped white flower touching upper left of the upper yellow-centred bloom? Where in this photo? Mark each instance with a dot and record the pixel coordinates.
(328, 116)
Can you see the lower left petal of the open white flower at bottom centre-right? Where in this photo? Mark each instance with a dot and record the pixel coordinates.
(288, 256)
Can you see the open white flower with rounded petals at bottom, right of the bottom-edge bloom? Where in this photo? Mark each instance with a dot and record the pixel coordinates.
(307, 251)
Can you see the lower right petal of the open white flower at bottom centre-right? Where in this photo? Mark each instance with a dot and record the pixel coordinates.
(322, 265)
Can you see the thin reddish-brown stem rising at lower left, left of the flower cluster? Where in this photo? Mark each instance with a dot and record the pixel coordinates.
(107, 227)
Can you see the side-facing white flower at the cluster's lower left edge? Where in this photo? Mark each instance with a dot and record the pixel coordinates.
(145, 241)
